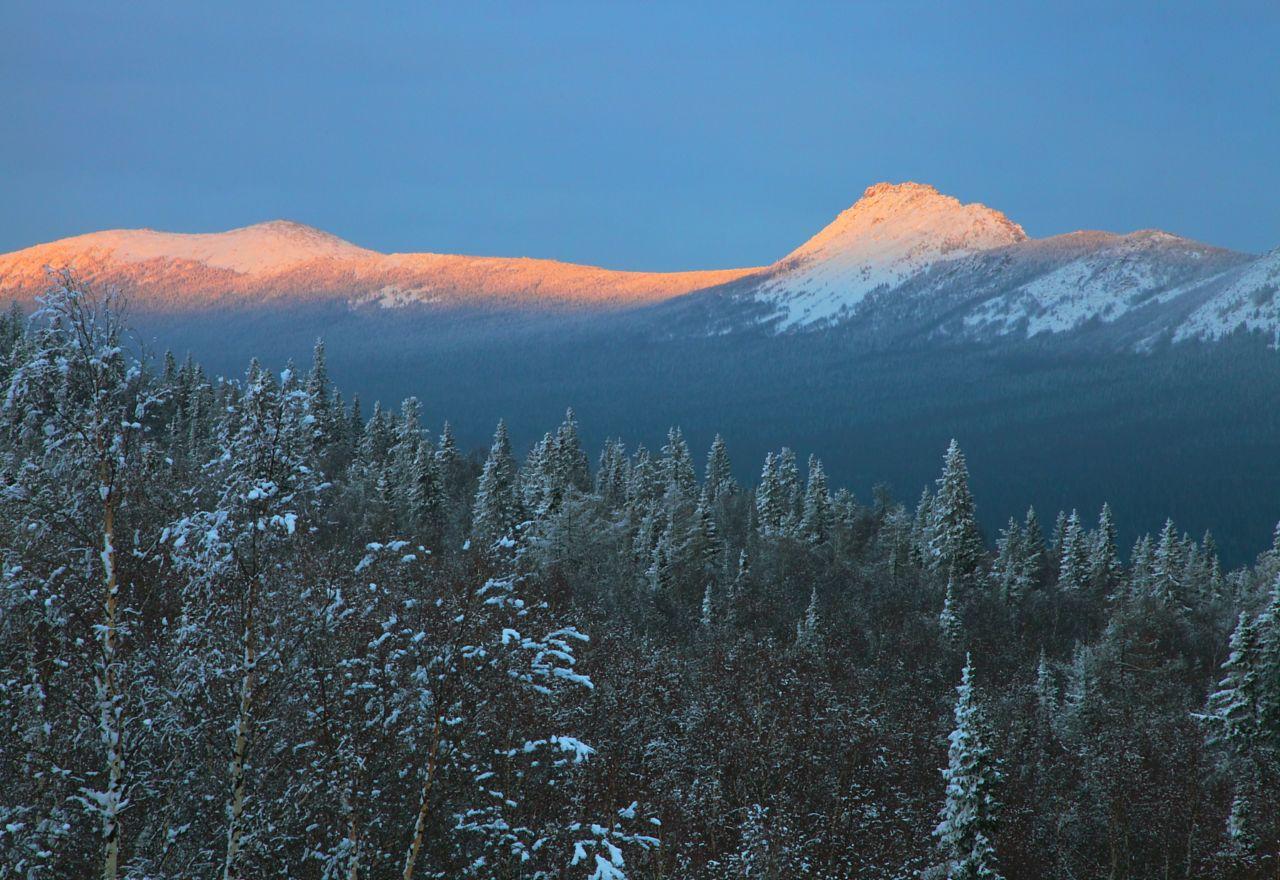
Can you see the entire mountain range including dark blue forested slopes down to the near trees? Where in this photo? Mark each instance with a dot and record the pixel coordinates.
(1133, 369)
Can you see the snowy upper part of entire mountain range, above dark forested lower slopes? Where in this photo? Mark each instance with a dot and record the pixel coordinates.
(906, 263)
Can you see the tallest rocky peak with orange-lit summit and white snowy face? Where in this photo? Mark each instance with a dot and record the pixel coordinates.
(893, 233)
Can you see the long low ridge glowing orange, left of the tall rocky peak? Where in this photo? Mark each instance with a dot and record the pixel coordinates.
(282, 262)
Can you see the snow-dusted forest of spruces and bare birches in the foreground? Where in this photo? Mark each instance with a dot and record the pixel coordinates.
(253, 629)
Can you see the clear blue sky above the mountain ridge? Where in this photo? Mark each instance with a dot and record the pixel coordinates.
(656, 136)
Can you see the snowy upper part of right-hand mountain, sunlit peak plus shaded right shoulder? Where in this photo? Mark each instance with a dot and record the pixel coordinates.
(908, 263)
